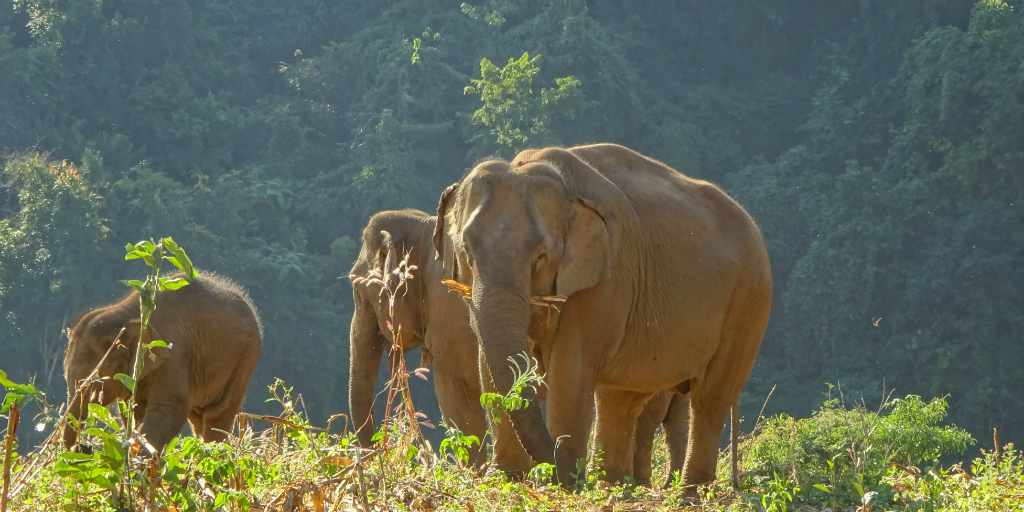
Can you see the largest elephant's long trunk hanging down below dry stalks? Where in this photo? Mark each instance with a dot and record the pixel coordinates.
(501, 318)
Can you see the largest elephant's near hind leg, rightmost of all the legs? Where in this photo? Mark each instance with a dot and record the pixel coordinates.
(713, 396)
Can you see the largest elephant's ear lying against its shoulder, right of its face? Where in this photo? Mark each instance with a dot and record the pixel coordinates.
(587, 254)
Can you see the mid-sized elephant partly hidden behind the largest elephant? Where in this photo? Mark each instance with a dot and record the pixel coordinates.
(432, 317)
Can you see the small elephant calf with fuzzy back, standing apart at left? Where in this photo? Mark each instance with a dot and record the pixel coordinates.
(214, 334)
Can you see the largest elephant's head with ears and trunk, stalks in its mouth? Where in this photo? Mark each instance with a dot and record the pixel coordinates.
(521, 230)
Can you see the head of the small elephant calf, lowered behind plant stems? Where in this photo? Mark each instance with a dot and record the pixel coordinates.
(105, 340)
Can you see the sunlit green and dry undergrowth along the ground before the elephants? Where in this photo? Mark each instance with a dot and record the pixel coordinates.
(839, 457)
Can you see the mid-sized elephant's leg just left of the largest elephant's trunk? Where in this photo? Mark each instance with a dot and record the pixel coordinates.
(459, 397)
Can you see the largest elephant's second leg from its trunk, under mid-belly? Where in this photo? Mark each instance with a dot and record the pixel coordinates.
(618, 412)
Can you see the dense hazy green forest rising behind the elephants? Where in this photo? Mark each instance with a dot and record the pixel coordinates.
(879, 145)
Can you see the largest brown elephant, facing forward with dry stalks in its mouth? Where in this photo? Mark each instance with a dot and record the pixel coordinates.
(668, 283)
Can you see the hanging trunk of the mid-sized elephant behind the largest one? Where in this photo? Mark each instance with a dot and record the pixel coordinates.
(366, 350)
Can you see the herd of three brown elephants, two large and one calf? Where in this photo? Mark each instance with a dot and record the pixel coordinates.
(667, 287)
